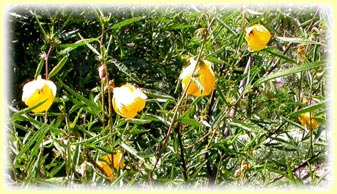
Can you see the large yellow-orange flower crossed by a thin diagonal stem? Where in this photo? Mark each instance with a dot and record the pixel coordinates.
(203, 79)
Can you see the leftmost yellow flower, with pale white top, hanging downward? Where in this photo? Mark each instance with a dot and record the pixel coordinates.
(37, 91)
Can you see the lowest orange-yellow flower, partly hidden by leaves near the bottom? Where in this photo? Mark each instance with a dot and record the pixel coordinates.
(107, 161)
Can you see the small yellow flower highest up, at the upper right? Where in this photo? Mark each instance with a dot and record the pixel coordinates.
(257, 37)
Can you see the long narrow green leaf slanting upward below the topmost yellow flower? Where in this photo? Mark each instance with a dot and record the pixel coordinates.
(289, 71)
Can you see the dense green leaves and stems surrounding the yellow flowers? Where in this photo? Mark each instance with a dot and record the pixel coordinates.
(245, 133)
